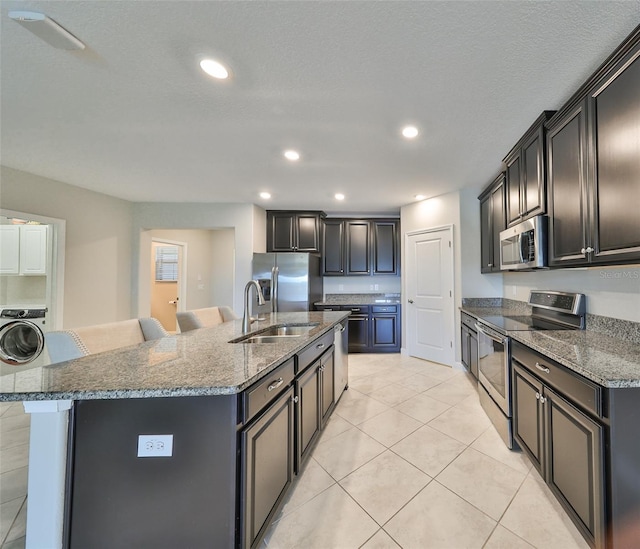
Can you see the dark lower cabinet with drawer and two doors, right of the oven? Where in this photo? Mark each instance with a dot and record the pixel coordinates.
(564, 442)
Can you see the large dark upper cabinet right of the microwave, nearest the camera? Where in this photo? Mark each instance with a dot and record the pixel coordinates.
(593, 148)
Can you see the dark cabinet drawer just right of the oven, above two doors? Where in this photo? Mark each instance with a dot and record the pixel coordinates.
(574, 387)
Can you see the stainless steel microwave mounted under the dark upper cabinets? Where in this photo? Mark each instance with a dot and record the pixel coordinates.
(524, 246)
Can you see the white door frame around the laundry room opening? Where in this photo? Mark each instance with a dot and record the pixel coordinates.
(55, 281)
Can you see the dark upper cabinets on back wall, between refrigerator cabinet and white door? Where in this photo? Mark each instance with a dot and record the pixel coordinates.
(360, 247)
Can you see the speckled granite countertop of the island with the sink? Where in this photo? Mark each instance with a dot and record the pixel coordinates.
(197, 363)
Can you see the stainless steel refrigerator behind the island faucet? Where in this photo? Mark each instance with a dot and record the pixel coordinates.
(289, 281)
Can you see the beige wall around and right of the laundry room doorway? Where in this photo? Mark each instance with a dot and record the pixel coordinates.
(97, 281)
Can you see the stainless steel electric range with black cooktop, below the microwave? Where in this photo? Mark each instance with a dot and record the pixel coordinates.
(550, 311)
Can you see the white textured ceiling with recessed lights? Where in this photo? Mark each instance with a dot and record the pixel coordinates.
(133, 116)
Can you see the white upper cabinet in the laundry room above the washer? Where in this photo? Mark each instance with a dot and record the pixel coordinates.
(23, 249)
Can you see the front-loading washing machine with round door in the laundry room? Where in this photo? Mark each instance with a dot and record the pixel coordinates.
(21, 334)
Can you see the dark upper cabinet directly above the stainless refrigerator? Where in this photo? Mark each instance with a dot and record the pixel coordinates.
(293, 231)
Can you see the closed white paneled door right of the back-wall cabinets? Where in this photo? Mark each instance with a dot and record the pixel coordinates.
(429, 291)
